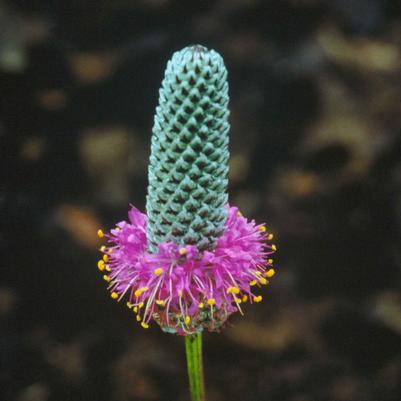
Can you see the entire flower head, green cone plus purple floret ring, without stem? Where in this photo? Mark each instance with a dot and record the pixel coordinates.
(192, 260)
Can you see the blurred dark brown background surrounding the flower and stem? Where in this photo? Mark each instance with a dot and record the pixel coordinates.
(315, 153)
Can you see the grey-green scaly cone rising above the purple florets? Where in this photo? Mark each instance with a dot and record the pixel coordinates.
(188, 168)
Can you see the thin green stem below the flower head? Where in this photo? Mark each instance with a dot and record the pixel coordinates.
(193, 348)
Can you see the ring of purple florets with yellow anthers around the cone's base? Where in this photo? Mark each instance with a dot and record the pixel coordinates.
(183, 289)
